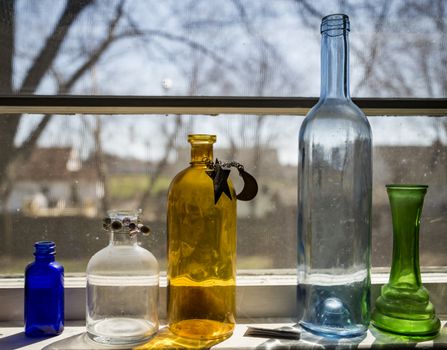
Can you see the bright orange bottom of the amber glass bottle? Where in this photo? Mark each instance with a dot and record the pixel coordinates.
(202, 329)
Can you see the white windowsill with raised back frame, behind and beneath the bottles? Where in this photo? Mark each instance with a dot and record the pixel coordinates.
(263, 300)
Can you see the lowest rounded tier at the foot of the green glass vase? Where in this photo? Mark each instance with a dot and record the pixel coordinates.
(402, 326)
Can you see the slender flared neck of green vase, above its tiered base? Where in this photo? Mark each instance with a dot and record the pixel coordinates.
(406, 207)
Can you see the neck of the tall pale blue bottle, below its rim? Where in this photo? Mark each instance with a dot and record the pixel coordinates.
(335, 64)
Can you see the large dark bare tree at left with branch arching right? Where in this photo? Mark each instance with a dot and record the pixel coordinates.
(45, 63)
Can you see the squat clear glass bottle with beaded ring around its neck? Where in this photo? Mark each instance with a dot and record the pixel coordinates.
(122, 285)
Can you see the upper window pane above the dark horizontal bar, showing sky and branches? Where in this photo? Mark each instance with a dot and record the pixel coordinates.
(221, 47)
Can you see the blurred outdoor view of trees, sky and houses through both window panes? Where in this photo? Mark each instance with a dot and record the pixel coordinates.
(60, 174)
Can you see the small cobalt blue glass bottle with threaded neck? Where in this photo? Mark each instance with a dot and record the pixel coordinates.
(44, 293)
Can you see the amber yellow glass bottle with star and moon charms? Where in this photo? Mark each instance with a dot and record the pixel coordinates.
(201, 250)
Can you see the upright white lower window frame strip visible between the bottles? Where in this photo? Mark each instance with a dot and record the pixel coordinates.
(260, 294)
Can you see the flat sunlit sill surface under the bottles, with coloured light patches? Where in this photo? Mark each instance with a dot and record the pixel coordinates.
(74, 337)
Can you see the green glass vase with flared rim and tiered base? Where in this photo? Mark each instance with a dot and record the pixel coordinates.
(404, 306)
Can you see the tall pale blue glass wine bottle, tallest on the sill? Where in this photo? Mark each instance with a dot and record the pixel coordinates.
(334, 199)
